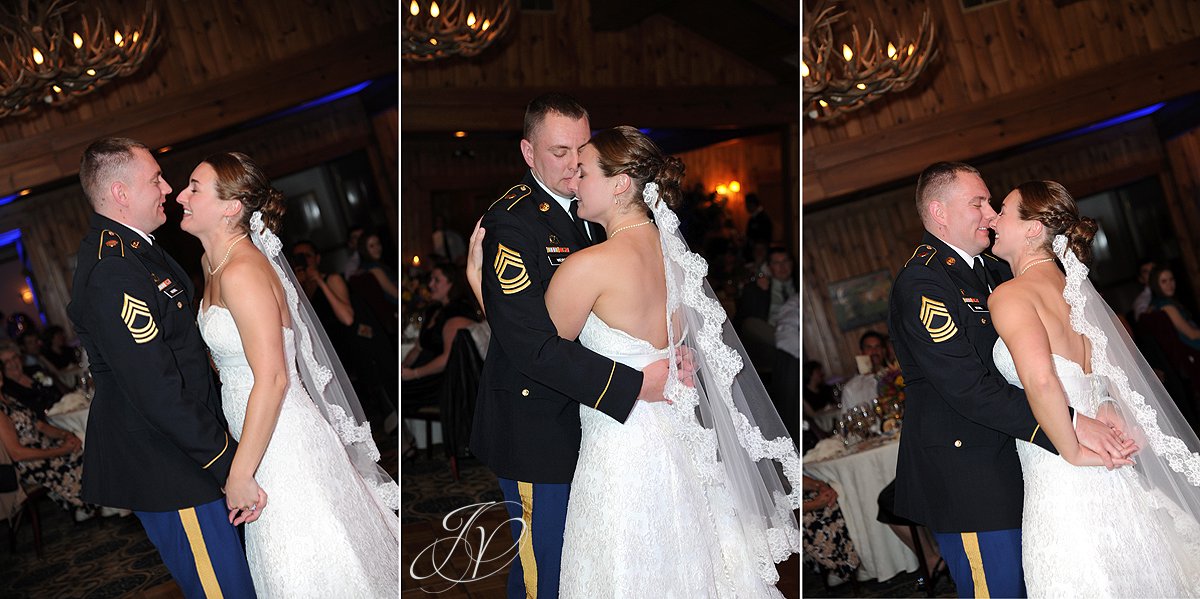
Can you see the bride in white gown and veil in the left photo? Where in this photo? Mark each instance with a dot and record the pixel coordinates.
(328, 528)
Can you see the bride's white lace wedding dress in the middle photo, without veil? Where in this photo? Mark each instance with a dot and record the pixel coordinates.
(640, 522)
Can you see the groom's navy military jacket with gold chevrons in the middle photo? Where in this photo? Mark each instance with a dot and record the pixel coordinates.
(527, 417)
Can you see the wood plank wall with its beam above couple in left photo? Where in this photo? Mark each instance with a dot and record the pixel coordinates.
(221, 63)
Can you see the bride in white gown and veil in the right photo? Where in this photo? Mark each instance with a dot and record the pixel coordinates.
(1087, 531)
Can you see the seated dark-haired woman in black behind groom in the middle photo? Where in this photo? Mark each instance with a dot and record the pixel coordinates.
(453, 308)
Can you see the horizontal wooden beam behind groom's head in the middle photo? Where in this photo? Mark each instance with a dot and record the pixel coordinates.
(503, 109)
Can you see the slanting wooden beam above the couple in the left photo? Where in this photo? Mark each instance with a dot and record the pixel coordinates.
(191, 113)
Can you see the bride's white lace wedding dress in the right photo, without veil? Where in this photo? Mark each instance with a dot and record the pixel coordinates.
(1087, 531)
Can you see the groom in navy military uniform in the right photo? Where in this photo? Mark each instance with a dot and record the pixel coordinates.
(958, 471)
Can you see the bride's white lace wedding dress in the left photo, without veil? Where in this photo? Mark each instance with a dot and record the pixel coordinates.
(322, 534)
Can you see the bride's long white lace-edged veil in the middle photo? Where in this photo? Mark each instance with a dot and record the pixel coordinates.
(728, 422)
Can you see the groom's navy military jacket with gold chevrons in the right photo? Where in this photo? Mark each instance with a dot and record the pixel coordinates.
(958, 469)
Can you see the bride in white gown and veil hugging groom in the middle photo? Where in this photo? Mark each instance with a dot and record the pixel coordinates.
(691, 499)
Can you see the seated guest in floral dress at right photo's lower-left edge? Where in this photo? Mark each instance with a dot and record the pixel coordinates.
(826, 541)
